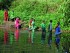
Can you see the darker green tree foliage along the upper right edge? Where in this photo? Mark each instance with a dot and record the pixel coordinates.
(67, 13)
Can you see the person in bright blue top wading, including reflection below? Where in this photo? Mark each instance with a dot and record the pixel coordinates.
(57, 35)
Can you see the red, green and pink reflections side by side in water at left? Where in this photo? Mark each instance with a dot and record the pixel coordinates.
(9, 36)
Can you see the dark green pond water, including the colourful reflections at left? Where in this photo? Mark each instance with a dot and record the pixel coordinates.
(19, 41)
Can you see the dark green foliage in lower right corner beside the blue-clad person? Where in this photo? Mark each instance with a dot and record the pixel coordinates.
(65, 40)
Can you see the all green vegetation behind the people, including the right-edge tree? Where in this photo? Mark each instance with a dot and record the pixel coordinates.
(41, 10)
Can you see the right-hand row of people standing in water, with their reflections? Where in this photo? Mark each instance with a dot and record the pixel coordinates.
(43, 29)
